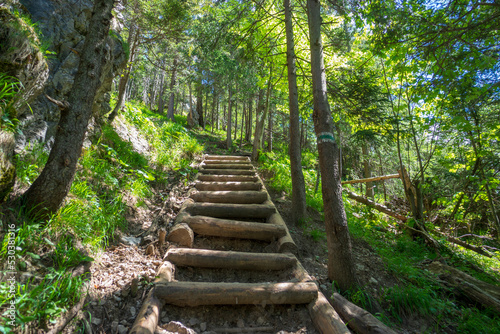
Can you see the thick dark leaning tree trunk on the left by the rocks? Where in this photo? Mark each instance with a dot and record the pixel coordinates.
(47, 193)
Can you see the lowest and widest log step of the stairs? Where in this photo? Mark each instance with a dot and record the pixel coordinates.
(200, 293)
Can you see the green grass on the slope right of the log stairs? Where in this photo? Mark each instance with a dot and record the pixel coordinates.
(418, 294)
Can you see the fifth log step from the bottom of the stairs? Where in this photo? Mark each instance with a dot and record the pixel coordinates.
(236, 197)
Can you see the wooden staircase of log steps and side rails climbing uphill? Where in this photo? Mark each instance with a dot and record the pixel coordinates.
(231, 202)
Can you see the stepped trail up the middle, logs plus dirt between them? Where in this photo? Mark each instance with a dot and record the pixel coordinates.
(229, 263)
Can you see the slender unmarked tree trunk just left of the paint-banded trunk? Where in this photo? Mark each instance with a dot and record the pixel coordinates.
(298, 183)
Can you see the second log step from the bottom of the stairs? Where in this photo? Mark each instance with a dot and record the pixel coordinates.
(205, 258)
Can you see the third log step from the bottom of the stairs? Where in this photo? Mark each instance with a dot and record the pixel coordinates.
(234, 229)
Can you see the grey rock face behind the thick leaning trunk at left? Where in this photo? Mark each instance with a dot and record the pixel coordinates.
(63, 25)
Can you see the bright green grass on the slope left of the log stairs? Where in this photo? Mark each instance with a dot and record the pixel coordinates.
(109, 171)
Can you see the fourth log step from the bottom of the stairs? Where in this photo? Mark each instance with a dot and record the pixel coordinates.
(223, 210)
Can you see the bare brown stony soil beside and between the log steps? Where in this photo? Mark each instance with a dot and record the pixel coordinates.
(123, 273)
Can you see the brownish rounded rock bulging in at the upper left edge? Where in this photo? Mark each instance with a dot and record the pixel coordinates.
(21, 61)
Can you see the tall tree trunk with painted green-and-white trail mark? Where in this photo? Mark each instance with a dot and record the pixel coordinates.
(340, 261)
